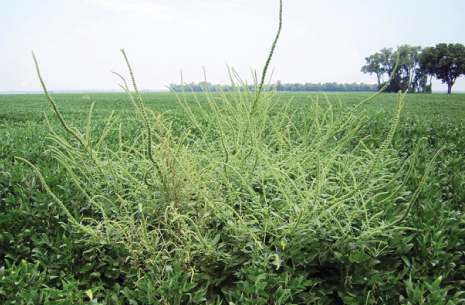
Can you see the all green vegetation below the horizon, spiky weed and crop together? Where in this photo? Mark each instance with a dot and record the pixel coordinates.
(241, 197)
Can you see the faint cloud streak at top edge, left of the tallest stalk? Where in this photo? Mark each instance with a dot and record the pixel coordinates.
(142, 7)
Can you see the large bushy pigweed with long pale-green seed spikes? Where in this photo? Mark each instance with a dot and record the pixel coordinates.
(250, 184)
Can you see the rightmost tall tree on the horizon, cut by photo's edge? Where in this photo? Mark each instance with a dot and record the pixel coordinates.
(445, 61)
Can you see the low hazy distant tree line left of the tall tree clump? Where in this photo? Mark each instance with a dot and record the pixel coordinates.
(197, 87)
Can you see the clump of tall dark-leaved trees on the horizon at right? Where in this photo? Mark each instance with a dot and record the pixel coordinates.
(446, 62)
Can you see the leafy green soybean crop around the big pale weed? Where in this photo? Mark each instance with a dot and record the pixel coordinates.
(40, 225)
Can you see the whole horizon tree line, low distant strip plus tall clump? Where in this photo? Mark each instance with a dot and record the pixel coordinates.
(446, 62)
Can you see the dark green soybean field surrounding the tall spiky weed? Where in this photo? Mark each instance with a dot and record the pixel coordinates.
(433, 249)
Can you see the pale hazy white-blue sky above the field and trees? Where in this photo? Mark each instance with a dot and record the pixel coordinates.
(77, 42)
